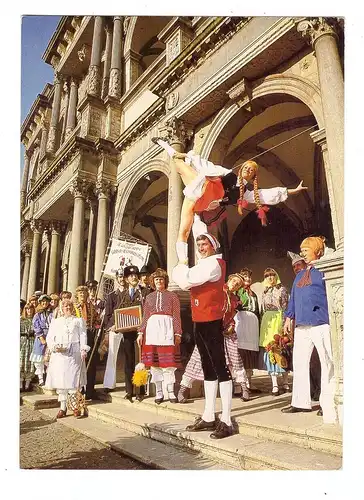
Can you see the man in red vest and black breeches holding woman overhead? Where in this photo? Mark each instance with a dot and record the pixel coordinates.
(205, 280)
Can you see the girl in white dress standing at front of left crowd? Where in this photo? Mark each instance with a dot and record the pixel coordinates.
(67, 342)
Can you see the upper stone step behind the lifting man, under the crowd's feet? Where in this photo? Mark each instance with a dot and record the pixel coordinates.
(261, 417)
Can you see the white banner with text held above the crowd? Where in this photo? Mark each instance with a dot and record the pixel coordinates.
(125, 253)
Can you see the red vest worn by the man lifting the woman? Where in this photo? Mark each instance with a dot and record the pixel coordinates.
(207, 300)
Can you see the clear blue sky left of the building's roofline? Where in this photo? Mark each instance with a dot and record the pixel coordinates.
(36, 32)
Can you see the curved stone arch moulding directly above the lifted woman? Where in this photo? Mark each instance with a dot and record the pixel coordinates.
(293, 85)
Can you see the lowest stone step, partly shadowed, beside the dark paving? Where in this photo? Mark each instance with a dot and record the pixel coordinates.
(149, 452)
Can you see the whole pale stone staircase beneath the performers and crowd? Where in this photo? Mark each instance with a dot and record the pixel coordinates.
(266, 439)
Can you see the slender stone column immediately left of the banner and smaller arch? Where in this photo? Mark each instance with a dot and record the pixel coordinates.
(103, 192)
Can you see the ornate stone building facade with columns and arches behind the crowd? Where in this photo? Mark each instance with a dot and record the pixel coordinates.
(230, 88)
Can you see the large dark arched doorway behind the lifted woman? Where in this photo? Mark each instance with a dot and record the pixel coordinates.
(250, 131)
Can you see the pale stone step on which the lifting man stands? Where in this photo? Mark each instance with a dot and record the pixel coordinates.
(241, 452)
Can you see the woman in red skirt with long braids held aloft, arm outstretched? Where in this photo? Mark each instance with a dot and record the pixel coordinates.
(209, 187)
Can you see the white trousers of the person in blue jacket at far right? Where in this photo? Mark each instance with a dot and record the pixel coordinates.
(305, 338)
